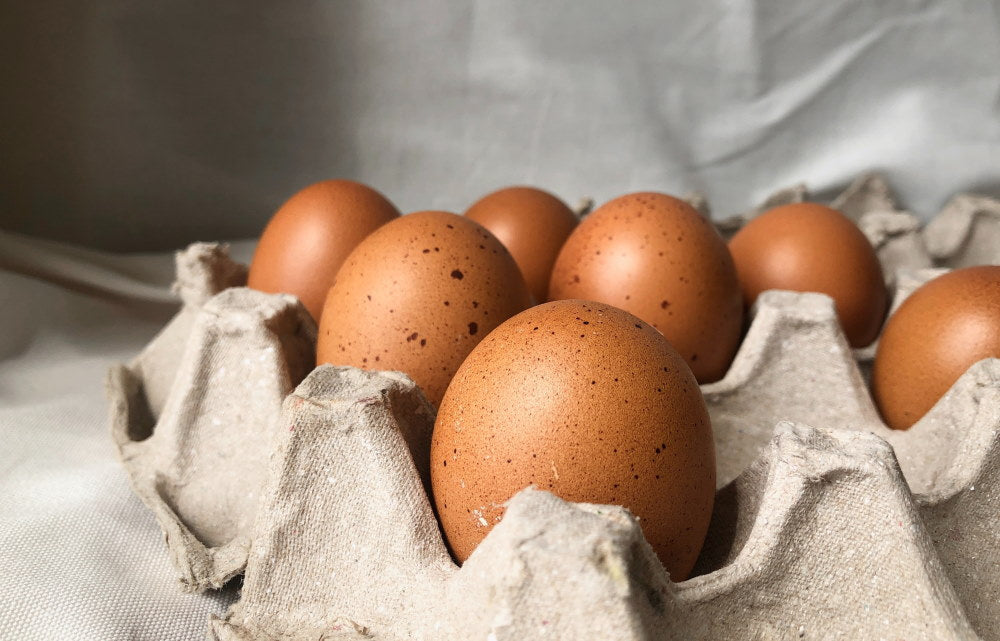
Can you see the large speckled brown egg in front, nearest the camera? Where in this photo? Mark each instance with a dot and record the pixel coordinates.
(590, 403)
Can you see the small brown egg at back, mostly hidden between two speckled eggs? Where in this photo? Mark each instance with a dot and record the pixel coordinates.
(532, 224)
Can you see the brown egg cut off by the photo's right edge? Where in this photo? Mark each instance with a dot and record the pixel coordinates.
(938, 333)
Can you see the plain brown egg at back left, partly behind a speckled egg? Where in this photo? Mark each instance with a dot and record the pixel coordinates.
(309, 237)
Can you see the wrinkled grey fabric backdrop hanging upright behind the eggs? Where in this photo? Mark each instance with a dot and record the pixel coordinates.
(137, 125)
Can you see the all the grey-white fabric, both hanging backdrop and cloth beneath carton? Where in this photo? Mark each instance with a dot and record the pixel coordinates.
(138, 125)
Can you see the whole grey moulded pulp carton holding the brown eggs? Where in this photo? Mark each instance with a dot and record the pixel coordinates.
(826, 523)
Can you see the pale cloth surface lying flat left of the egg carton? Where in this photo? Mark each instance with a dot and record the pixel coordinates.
(81, 556)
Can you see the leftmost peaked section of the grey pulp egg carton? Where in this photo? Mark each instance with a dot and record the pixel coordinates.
(192, 416)
